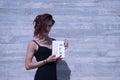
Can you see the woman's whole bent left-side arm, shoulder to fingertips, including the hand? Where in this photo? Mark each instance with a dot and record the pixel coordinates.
(29, 64)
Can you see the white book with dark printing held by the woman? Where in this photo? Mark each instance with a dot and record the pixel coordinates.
(58, 48)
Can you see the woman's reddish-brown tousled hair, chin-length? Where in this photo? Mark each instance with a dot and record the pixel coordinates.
(41, 22)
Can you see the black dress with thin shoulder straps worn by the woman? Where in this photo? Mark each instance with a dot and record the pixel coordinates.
(47, 71)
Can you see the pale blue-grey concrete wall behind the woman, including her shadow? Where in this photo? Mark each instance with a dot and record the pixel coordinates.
(91, 26)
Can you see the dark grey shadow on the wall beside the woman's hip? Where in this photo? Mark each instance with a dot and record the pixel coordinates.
(63, 71)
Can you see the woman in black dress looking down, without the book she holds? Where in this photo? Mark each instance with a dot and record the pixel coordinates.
(41, 48)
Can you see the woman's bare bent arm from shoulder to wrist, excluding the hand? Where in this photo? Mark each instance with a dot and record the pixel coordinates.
(29, 56)
